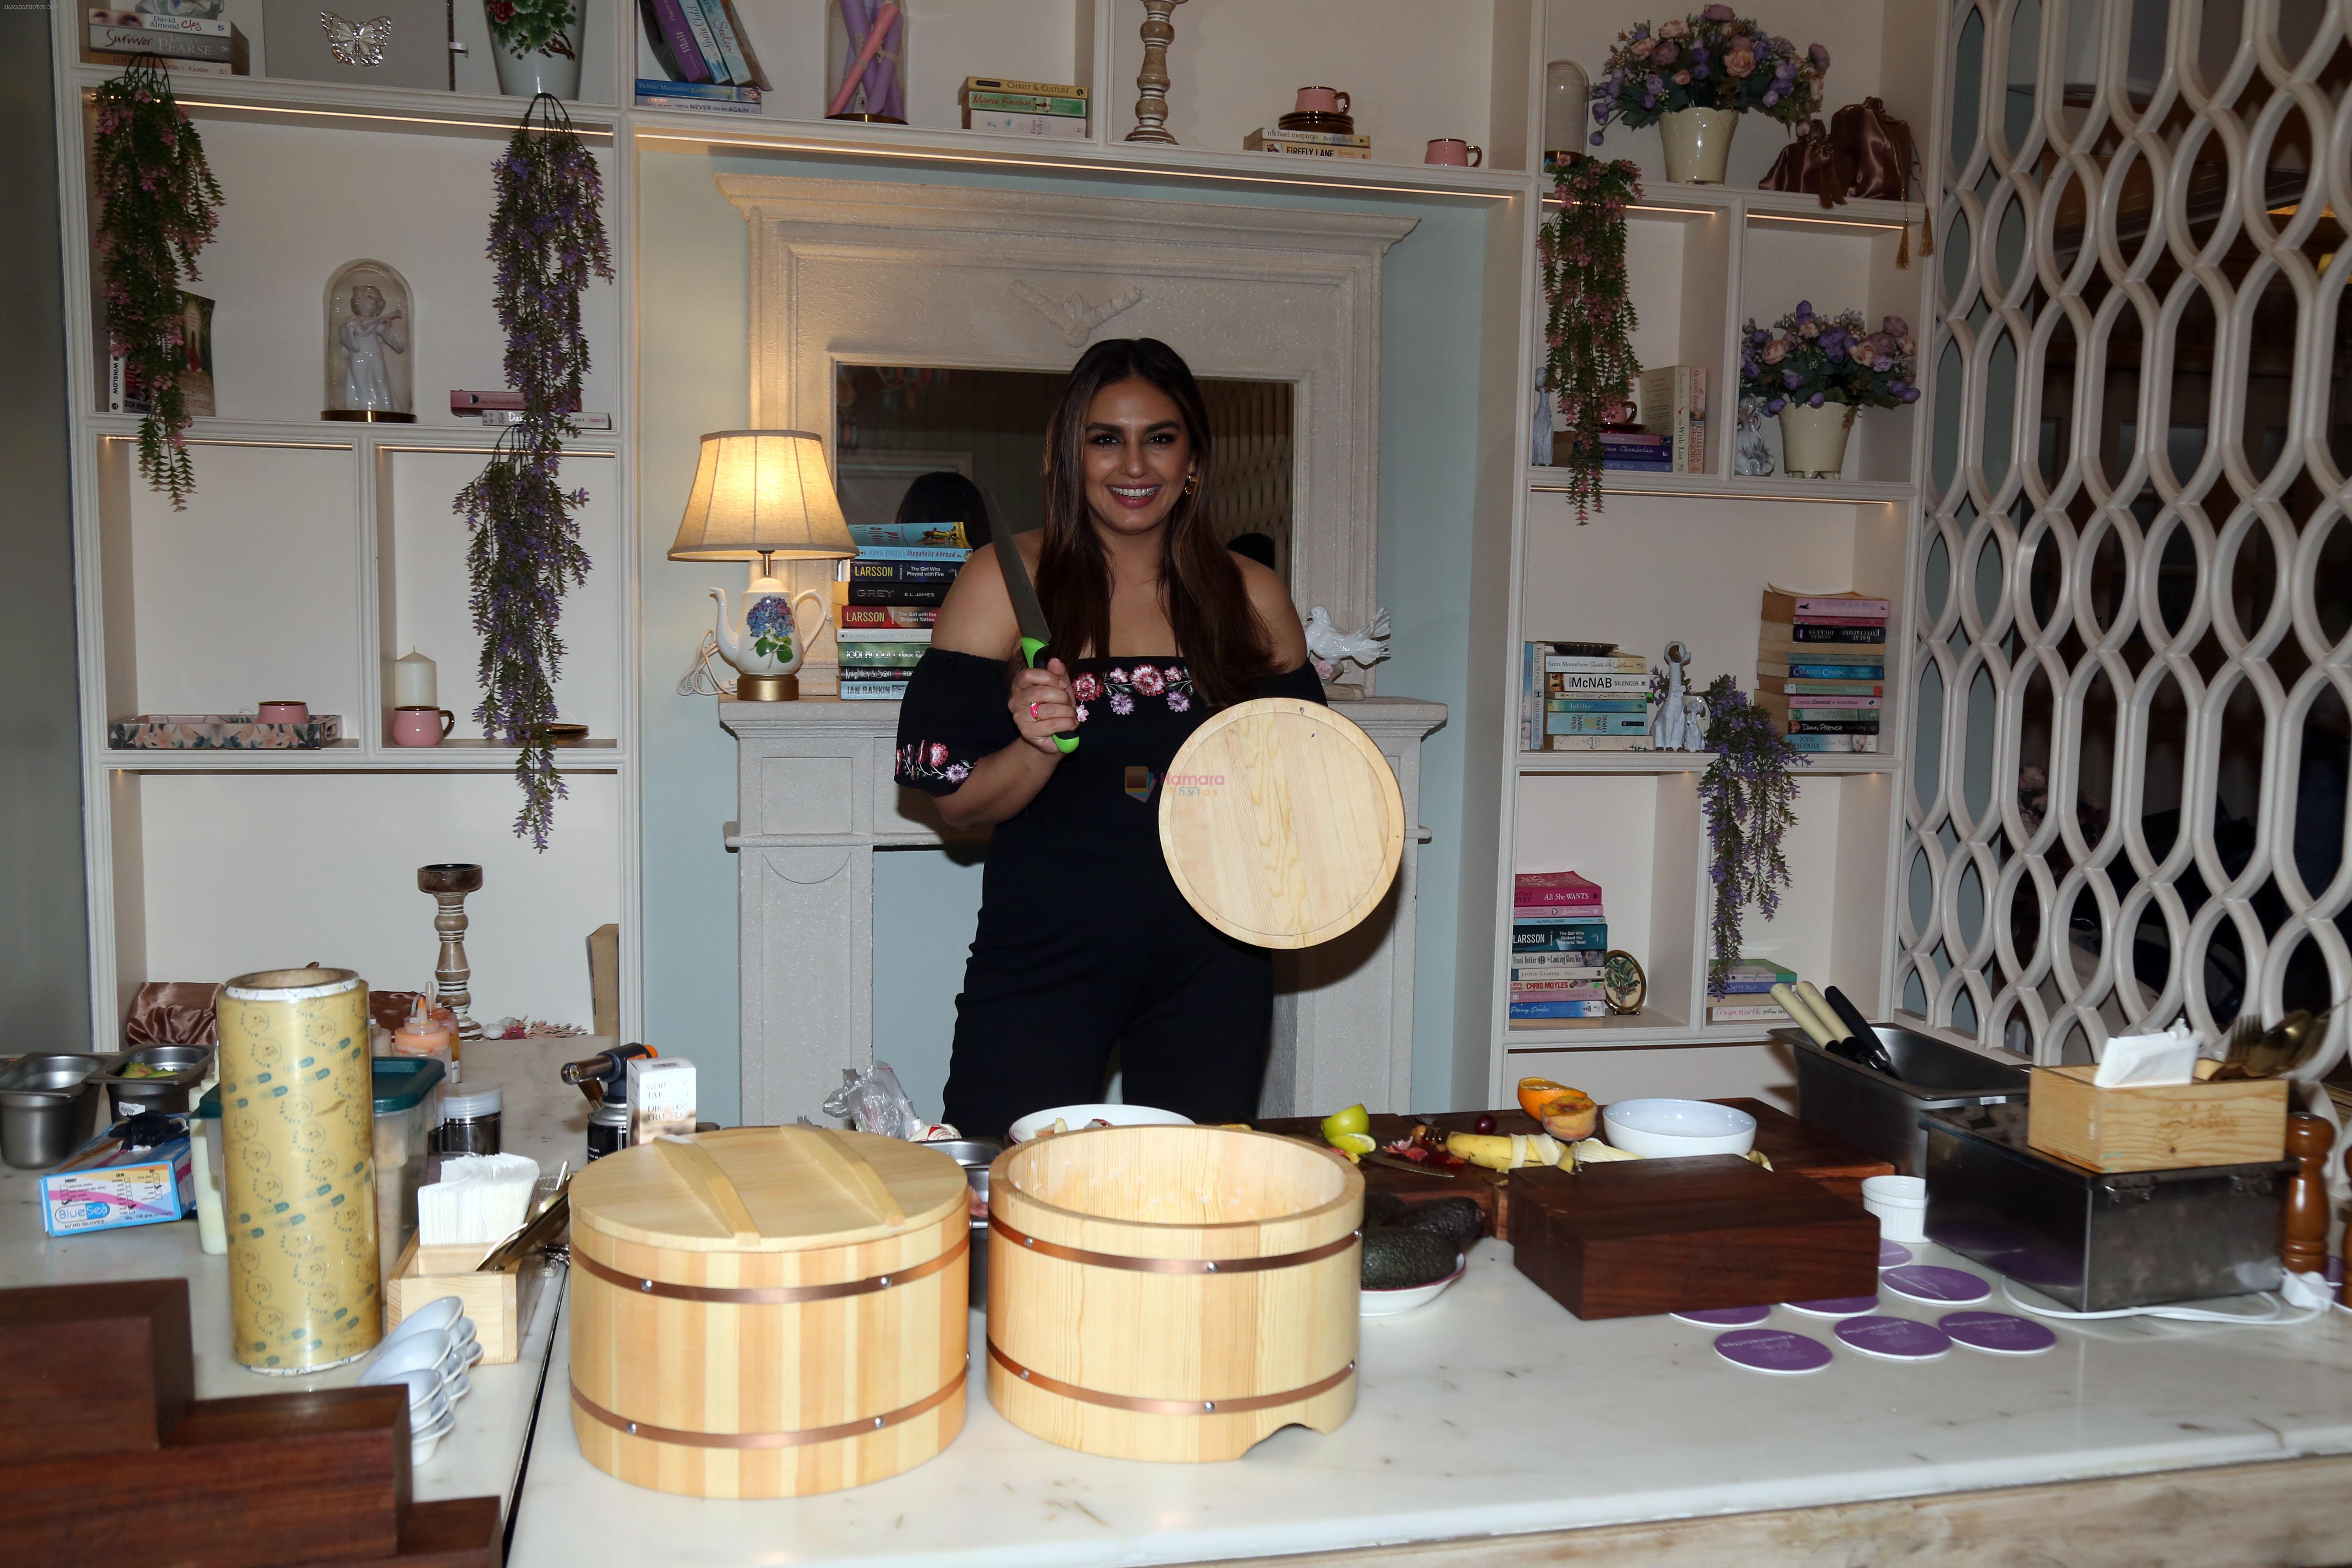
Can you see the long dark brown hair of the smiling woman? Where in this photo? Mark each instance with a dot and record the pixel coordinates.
(1201, 587)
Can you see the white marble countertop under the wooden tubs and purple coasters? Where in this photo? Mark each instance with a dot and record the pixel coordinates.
(1495, 1412)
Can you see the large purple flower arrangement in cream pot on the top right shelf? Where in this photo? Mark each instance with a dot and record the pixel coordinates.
(1695, 79)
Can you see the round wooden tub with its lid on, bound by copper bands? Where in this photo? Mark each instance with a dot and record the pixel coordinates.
(768, 1311)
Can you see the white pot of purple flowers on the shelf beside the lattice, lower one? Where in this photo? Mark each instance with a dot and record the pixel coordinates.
(1817, 373)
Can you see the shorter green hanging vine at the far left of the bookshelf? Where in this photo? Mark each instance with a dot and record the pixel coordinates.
(156, 208)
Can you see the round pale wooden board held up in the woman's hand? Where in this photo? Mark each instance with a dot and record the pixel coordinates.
(1283, 824)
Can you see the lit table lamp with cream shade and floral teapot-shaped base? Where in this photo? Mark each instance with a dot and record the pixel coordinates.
(759, 497)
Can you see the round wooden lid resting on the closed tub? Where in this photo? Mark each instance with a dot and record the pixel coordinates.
(766, 1191)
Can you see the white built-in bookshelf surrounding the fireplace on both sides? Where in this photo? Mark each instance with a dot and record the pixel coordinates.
(354, 521)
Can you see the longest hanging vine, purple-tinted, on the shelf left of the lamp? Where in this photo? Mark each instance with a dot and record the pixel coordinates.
(547, 239)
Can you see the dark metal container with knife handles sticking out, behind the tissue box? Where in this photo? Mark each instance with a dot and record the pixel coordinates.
(1878, 1115)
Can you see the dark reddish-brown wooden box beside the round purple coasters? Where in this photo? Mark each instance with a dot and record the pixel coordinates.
(1678, 1235)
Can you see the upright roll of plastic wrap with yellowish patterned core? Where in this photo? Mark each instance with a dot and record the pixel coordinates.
(300, 1177)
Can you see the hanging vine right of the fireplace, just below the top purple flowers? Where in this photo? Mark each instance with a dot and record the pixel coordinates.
(1589, 351)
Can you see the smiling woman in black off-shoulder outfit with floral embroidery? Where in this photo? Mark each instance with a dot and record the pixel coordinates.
(1085, 942)
